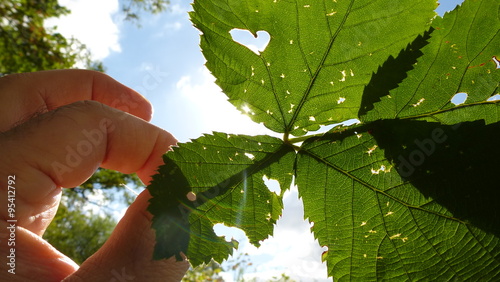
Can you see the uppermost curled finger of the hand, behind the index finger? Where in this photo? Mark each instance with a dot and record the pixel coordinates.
(24, 95)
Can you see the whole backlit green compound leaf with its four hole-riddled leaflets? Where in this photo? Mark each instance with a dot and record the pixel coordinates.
(407, 194)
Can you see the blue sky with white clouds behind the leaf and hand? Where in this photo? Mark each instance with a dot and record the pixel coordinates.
(162, 60)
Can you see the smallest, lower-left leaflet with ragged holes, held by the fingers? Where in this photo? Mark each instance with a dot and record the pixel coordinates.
(226, 173)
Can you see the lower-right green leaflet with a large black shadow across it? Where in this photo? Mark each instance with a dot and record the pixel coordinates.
(411, 201)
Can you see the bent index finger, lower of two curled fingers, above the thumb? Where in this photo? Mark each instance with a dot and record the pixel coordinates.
(63, 148)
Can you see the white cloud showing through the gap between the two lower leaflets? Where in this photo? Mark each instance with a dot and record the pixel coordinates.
(292, 249)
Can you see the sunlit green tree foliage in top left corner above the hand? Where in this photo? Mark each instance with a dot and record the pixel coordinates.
(26, 45)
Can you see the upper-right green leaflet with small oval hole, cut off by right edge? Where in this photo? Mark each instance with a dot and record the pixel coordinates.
(458, 59)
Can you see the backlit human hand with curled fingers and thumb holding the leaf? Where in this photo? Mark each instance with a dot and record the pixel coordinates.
(56, 129)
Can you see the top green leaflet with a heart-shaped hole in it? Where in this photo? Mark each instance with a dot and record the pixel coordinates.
(320, 56)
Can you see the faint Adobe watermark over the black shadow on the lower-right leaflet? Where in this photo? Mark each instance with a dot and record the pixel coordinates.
(425, 148)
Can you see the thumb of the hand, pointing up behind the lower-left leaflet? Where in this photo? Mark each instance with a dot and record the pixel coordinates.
(128, 252)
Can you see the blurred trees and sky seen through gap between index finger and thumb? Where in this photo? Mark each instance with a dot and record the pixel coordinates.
(76, 230)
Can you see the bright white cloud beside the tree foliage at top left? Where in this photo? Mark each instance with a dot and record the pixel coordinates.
(91, 22)
